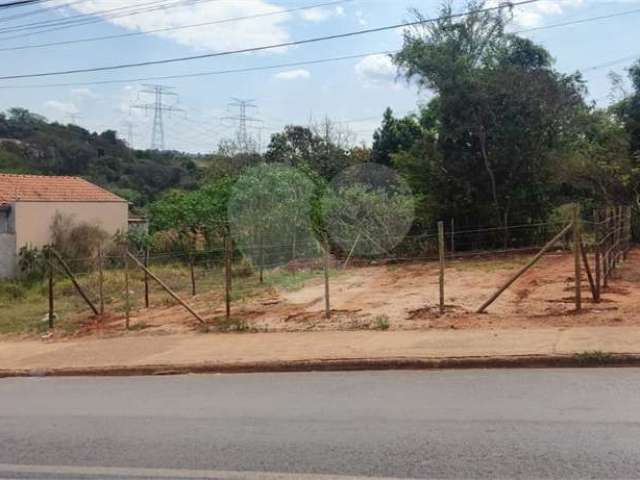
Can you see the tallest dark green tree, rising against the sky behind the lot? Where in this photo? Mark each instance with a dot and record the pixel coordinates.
(502, 115)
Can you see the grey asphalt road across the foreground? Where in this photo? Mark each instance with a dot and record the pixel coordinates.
(438, 424)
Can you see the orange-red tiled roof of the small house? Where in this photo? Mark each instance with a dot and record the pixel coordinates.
(40, 188)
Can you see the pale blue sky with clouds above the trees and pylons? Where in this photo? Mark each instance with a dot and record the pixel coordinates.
(352, 92)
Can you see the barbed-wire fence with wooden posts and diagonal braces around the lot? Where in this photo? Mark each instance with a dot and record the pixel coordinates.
(117, 284)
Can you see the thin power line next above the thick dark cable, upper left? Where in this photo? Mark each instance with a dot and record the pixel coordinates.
(167, 29)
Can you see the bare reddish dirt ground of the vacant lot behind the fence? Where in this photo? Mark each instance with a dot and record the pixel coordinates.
(405, 296)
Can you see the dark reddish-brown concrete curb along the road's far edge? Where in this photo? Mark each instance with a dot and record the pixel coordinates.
(347, 364)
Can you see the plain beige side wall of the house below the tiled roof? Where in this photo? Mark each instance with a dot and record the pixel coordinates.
(33, 219)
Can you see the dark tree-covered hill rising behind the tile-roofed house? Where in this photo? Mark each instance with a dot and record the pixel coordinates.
(31, 144)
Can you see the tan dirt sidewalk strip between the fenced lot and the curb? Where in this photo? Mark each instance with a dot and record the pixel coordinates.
(282, 351)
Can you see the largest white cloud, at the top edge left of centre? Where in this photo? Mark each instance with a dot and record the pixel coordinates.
(216, 37)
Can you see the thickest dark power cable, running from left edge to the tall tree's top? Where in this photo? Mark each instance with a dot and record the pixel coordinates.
(265, 47)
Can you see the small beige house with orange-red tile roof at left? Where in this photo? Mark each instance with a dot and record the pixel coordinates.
(29, 203)
